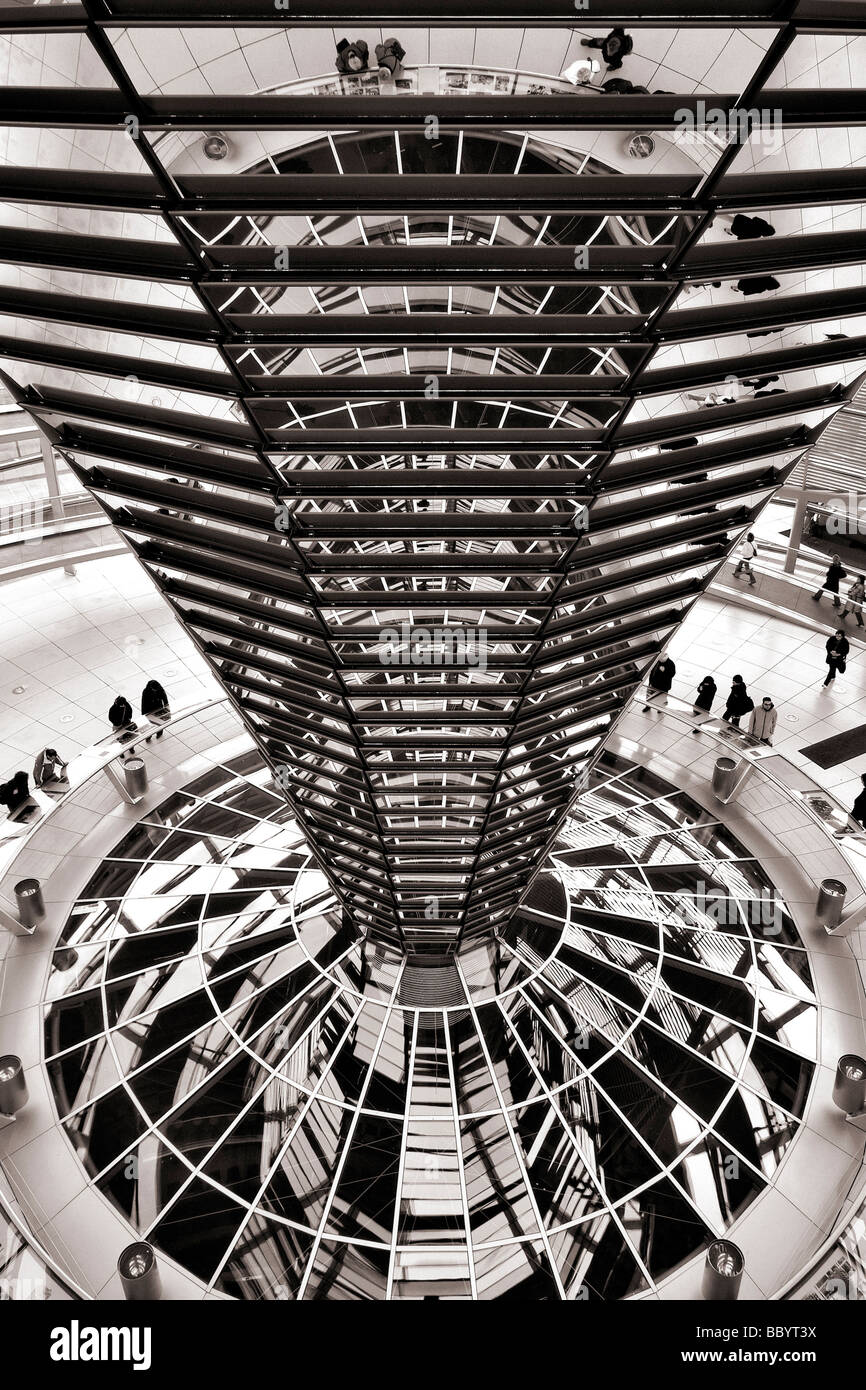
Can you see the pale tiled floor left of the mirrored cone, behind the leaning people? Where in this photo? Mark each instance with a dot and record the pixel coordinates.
(70, 644)
